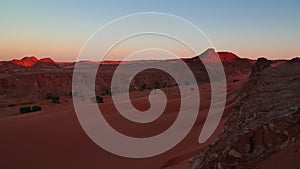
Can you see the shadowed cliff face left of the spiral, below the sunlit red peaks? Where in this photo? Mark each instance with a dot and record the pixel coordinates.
(34, 85)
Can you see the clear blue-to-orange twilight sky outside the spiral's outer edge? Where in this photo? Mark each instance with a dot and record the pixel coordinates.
(59, 28)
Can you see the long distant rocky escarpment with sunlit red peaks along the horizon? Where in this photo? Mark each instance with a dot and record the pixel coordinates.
(30, 78)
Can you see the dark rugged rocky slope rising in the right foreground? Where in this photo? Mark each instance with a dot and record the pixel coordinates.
(266, 120)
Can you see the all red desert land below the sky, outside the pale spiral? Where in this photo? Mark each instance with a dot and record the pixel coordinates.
(260, 125)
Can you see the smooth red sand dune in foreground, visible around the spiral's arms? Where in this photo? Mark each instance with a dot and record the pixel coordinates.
(54, 138)
